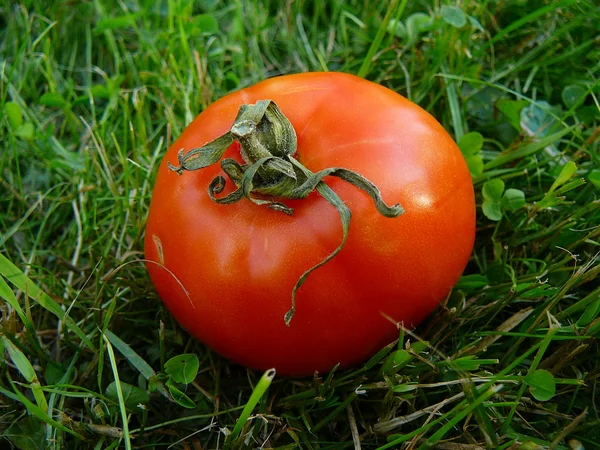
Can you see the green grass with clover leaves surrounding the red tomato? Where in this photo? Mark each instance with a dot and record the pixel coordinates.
(93, 92)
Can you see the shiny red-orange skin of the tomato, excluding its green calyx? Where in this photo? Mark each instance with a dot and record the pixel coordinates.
(240, 262)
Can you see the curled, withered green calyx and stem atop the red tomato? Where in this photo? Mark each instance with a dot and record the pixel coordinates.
(268, 143)
